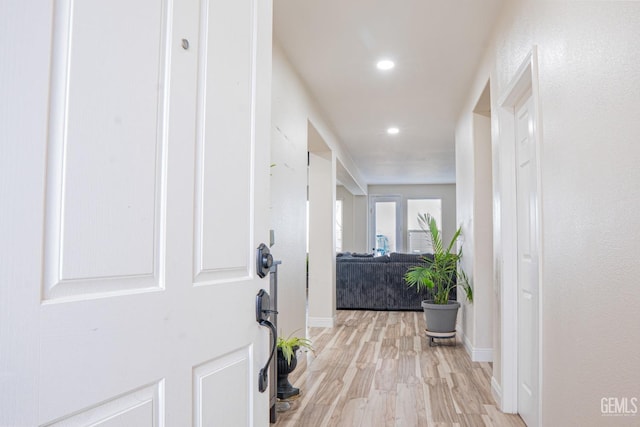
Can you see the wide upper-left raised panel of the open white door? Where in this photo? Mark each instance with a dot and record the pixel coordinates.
(120, 229)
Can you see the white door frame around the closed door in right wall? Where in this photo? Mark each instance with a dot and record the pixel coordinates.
(505, 250)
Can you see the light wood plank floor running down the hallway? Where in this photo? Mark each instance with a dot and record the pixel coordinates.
(376, 368)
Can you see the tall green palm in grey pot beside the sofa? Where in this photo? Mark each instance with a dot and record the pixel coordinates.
(441, 275)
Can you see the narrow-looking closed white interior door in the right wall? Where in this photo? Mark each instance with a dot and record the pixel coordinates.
(526, 199)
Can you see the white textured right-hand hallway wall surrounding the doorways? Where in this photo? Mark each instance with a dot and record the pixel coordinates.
(589, 92)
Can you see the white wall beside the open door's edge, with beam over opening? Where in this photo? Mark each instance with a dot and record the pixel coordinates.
(292, 110)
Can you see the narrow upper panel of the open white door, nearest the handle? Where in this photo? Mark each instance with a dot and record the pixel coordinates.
(219, 166)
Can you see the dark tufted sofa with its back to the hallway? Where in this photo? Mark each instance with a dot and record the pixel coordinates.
(364, 282)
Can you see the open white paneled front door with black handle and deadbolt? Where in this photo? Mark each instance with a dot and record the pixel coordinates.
(133, 193)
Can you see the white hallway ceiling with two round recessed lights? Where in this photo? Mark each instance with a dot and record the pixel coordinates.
(436, 45)
